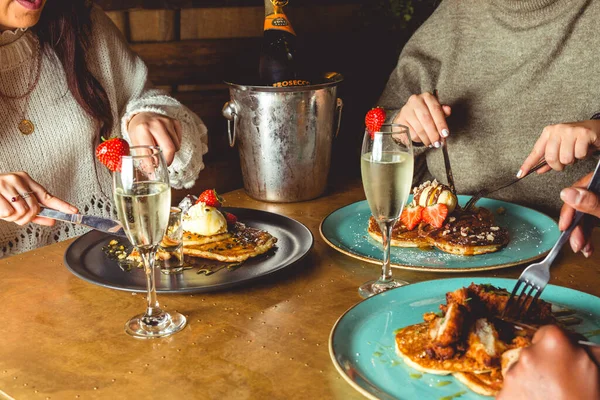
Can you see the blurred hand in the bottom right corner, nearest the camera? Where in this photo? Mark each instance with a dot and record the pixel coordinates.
(553, 367)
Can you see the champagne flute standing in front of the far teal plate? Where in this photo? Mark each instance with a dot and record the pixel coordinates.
(387, 165)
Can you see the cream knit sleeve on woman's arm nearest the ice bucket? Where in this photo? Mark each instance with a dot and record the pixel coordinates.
(124, 76)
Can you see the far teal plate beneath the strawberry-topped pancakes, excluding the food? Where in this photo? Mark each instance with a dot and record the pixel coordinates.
(532, 235)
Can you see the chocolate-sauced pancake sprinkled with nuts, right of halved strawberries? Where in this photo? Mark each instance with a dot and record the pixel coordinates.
(467, 233)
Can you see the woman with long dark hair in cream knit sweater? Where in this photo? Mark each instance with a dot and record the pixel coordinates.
(68, 78)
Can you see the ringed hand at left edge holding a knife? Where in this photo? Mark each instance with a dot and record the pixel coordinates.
(21, 197)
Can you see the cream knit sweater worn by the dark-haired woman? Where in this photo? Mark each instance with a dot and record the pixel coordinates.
(60, 153)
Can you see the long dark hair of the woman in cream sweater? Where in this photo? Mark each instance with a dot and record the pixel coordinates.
(65, 28)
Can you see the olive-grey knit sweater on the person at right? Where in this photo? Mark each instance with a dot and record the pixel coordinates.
(508, 68)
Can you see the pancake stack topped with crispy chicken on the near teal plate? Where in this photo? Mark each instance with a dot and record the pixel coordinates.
(466, 339)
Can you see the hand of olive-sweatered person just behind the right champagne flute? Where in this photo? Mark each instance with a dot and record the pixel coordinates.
(425, 118)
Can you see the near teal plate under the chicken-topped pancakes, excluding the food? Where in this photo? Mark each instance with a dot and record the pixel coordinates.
(362, 344)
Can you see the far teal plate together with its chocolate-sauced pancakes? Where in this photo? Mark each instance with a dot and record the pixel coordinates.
(517, 235)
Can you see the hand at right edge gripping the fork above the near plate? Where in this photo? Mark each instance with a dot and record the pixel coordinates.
(577, 198)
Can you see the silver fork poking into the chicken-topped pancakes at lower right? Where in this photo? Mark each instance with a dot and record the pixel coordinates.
(535, 277)
